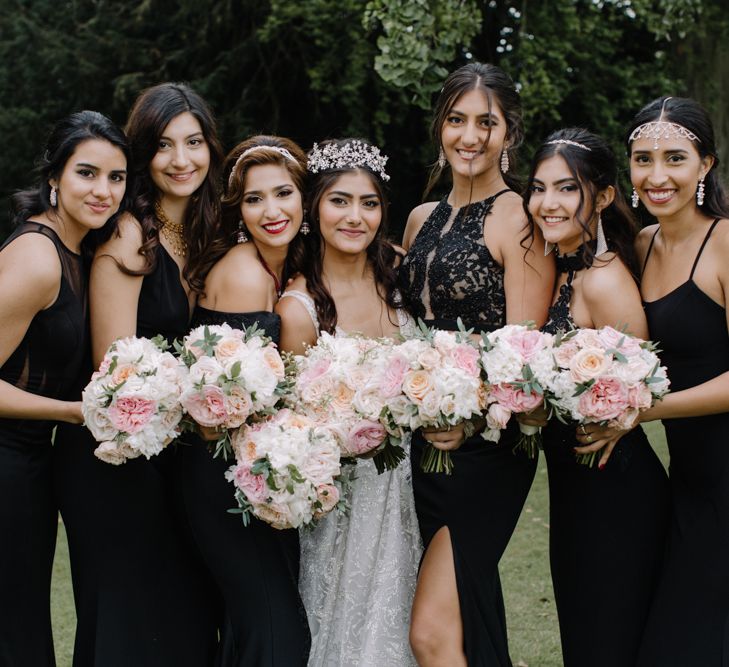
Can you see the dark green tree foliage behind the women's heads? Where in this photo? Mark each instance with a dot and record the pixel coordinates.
(311, 69)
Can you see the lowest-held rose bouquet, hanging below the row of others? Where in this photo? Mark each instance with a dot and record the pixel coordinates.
(285, 470)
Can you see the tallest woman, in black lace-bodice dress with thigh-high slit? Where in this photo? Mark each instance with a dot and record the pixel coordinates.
(466, 260)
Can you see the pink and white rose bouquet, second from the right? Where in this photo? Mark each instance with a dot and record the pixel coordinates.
(518, 363)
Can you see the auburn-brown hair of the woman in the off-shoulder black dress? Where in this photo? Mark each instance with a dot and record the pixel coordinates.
(235, 169)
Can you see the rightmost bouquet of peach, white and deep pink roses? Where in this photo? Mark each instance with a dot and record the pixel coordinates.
(605, 377)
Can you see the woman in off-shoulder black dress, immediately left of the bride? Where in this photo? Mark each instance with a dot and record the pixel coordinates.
(255, 568)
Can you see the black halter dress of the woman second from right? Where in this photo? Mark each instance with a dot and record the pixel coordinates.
(607, 531)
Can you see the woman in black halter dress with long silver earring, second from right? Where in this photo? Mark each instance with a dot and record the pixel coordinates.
(608, 525)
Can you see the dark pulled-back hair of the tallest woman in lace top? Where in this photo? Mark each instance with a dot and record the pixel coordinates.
(498, 87)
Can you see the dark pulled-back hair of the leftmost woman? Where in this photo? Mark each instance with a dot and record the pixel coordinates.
(63, 140)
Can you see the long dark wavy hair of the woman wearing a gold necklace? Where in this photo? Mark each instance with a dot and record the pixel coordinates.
(151, 113)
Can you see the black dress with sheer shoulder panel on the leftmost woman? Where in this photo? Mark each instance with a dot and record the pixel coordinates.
(50, 353)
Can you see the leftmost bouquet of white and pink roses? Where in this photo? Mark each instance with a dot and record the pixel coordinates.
(132, 404)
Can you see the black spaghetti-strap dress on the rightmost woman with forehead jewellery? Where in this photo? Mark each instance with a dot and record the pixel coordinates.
(689, 619)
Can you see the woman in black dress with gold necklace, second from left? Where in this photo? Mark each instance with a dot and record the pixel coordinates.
(141, 594)
